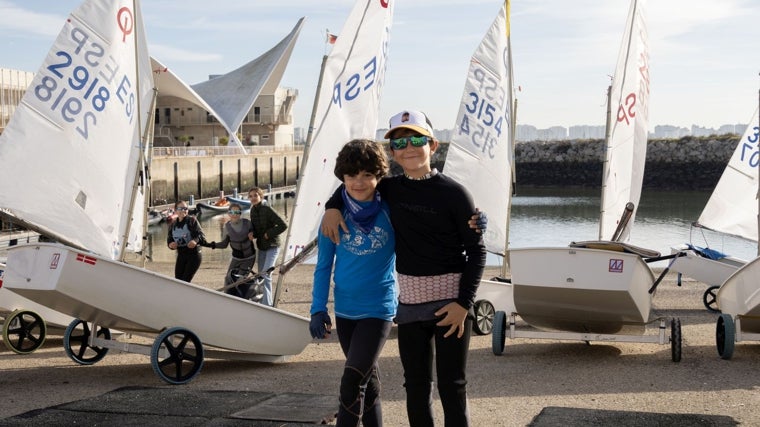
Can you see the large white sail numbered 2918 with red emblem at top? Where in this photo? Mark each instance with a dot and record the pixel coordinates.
(70, 152)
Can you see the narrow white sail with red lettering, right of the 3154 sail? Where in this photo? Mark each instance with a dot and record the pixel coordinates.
(627, 126)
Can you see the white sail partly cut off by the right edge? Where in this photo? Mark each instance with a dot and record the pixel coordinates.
(733, 206)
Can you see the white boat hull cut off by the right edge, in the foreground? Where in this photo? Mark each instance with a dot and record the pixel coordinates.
(739, 296)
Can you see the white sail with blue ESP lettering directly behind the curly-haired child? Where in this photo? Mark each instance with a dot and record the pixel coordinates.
(346, 107)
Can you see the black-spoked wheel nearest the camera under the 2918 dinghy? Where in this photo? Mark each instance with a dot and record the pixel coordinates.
(177, 355)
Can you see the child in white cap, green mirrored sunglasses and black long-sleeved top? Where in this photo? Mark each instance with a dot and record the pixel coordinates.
(439, 260)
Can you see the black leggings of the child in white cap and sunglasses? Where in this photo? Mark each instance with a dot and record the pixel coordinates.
(418, 343)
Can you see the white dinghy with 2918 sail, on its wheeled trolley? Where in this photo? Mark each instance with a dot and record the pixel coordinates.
(91, 105)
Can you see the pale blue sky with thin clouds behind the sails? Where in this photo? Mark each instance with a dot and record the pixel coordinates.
(703, 69)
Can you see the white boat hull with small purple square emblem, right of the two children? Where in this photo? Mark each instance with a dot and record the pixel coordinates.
(581, 289)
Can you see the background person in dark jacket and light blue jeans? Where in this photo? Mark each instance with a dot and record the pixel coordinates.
(267, 227)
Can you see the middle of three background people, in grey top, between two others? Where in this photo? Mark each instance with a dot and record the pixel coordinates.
(238, 235)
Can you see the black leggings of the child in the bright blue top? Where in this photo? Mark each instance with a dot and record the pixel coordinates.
(362, 341)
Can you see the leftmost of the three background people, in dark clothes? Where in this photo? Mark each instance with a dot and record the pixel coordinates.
(185, 235)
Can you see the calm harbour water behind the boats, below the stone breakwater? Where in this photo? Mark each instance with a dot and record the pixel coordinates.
(554, 217)
